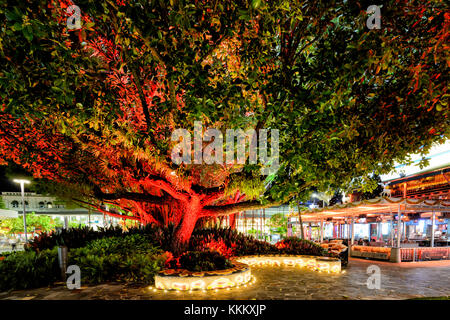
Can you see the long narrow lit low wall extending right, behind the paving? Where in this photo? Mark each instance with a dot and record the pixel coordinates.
(323, 264)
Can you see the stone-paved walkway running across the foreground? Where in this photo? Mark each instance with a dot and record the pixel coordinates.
(398, 281)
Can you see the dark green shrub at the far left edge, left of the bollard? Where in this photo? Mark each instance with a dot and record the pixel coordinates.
(28, 269)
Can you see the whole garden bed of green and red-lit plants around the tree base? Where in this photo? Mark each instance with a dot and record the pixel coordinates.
(136, 255)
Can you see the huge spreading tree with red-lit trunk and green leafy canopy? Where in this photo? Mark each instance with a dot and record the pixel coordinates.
(93, 109)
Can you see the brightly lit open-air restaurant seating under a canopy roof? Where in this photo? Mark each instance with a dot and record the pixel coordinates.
(386, 228)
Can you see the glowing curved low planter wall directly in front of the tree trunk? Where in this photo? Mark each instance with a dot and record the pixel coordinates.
(170, 279)
